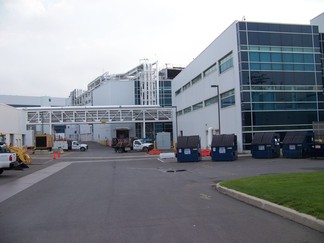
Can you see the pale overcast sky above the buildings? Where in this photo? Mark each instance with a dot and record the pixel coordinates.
(50, 47)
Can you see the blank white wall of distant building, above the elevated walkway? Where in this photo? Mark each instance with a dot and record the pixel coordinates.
(115, 92)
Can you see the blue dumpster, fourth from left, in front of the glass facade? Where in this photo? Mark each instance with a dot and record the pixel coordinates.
(297, 144)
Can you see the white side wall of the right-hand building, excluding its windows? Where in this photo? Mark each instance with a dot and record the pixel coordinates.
(197, 122)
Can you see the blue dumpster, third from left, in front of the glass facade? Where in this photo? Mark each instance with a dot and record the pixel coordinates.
(265, 145)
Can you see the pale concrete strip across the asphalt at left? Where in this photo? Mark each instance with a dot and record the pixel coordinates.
(12, 188)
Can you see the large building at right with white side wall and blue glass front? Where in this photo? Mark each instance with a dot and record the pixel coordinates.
(254, 77)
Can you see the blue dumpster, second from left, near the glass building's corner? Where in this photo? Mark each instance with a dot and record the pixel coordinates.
(224, 147)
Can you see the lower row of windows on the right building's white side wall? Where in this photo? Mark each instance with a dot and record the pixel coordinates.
(227, 99)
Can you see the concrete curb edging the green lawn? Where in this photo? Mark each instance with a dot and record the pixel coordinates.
(288, 213)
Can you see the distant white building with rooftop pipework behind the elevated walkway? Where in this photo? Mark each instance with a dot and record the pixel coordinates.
(143, 85)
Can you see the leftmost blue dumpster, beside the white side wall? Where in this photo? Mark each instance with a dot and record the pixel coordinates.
(188, 149)
